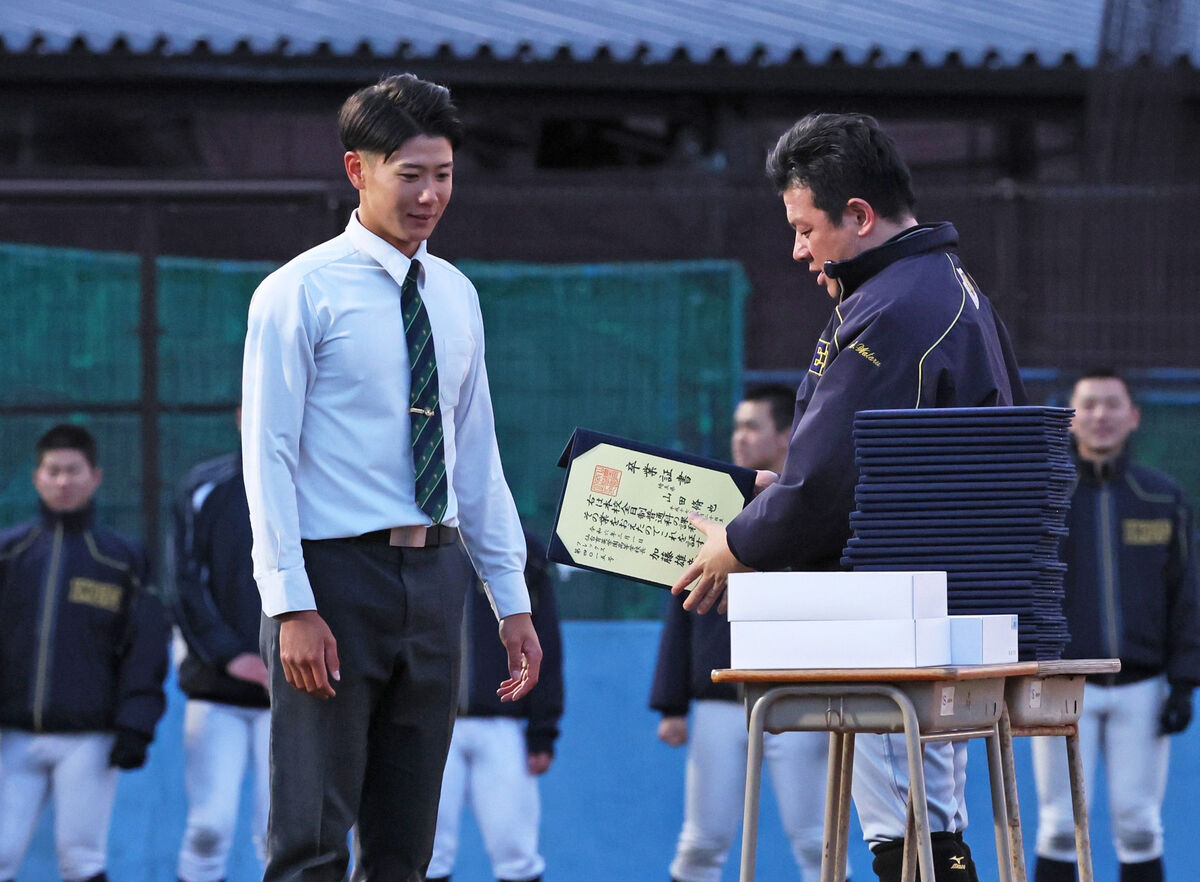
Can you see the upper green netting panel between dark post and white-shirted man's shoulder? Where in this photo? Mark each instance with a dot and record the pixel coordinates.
(202, 311)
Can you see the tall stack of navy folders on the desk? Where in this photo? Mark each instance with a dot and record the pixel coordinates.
(981, 494)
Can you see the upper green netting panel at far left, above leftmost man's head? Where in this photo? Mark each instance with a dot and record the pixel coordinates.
(70, 333)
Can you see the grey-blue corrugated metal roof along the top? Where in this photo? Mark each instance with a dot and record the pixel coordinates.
(764, 32)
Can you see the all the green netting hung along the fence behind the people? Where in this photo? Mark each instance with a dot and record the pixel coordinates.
(649, 351)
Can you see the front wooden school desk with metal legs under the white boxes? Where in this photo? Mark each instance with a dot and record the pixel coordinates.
(925, 704)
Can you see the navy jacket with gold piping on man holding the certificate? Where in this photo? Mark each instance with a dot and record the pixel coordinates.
(910, 329)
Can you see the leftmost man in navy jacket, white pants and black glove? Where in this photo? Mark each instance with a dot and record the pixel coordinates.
(83, 657)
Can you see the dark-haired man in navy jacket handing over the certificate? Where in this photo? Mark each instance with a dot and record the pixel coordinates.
(910, 329)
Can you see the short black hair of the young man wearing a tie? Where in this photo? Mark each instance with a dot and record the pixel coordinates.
(380, 118)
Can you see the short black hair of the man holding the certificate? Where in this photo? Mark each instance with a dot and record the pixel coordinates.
(842, 157)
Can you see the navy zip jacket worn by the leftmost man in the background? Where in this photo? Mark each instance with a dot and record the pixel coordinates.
(83, 645)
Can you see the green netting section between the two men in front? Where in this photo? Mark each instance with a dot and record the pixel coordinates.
(645, 351)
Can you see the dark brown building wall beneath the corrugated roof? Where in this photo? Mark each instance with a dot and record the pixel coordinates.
(1075, 190)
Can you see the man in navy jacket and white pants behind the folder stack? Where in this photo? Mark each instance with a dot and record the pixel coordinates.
(1131, 595)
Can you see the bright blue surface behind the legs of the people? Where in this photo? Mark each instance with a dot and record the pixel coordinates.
(613, 803)
